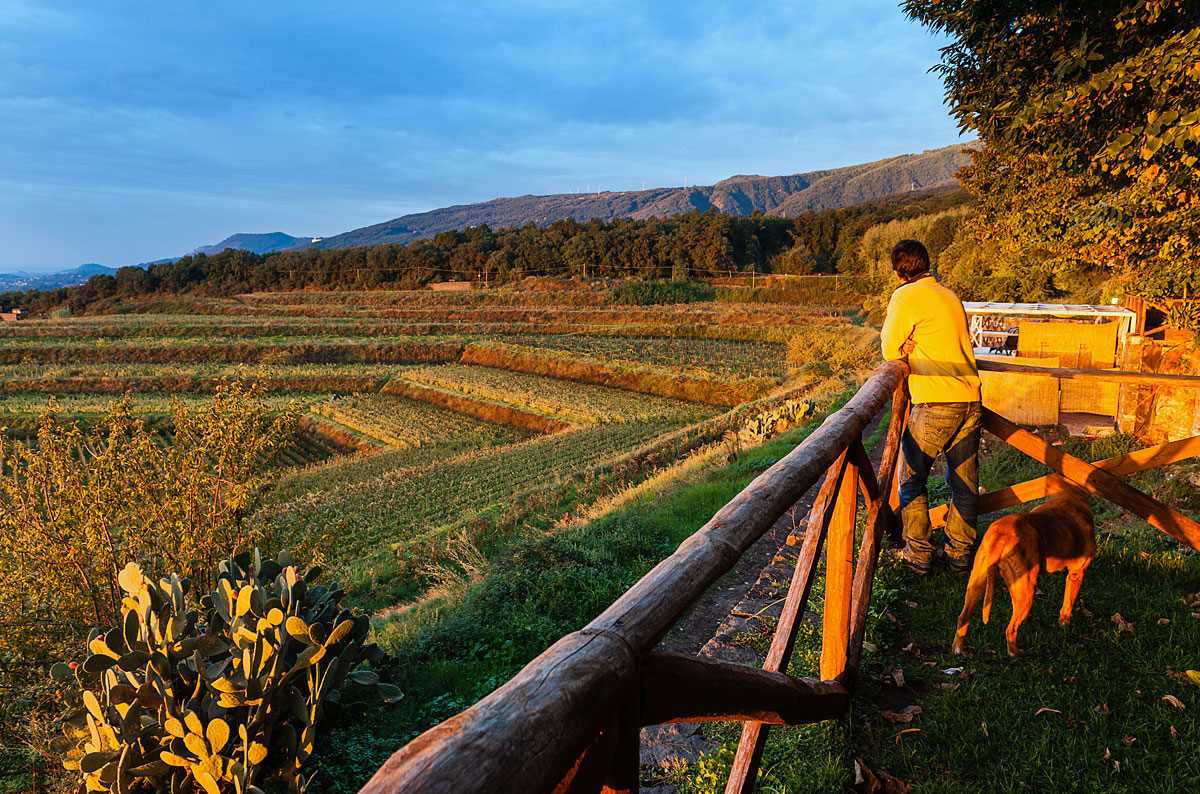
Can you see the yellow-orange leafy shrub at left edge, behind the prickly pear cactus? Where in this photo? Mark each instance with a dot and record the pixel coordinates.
(75, 508)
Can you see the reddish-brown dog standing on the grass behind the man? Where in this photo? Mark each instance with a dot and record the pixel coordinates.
(1054, 537)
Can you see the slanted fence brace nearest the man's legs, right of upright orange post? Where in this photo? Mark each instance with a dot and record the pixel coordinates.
(878, 521)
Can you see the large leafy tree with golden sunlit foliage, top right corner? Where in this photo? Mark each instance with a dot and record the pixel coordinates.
(1090, 117)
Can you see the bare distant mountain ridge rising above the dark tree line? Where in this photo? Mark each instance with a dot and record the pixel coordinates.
(741, 196)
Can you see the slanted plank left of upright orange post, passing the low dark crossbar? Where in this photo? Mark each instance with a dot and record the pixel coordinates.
(754, 735)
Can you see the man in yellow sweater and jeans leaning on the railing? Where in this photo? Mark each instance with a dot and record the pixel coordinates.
(927, 324)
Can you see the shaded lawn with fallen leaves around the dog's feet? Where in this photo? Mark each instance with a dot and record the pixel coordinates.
(1083, 713)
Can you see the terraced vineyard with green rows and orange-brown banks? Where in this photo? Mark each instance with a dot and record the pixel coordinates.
(425, 414)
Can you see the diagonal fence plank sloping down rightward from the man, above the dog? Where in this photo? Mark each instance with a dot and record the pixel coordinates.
(1096, 480)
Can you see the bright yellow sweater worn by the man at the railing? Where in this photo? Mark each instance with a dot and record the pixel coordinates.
(944, 368)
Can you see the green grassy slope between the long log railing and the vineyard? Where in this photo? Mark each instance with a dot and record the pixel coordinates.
(451, 653)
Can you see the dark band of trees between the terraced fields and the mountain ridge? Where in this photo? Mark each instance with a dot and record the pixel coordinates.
(699, 245)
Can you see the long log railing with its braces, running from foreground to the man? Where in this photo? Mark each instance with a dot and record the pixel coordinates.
(571, 720)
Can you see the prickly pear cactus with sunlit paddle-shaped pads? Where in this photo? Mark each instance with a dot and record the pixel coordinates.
(171, 702)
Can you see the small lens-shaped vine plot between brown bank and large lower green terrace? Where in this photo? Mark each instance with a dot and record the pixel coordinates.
(399, 422)
